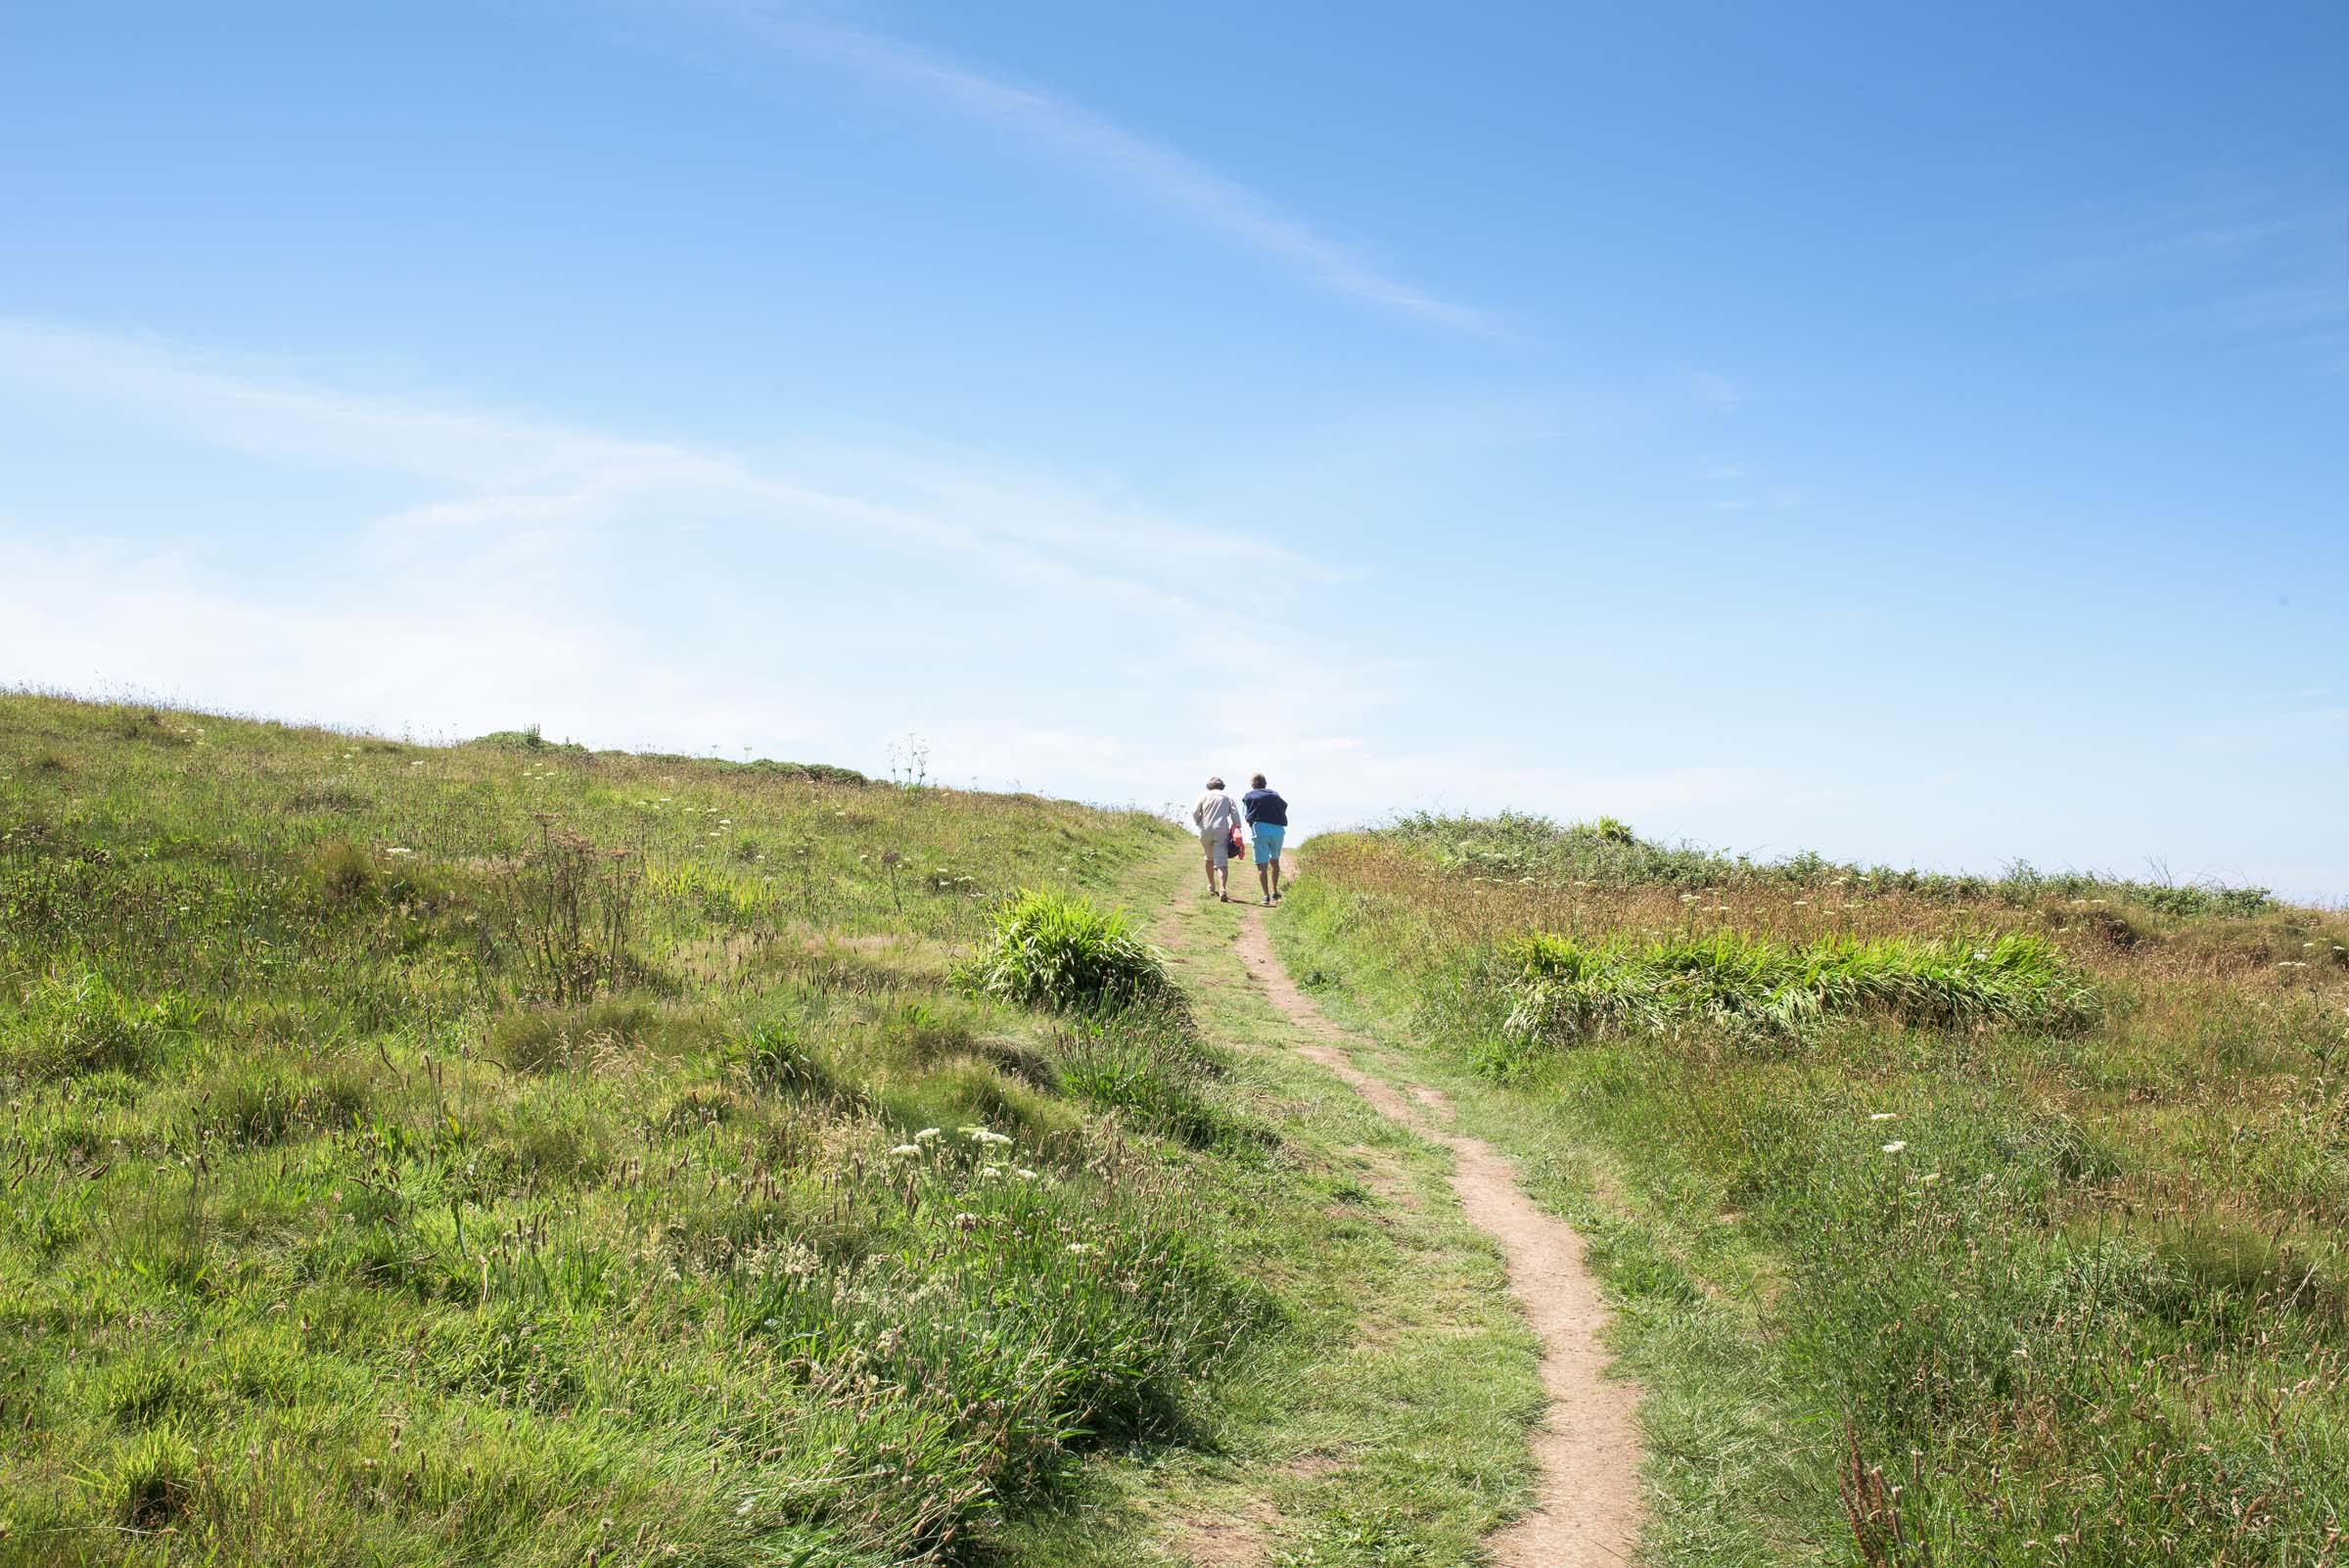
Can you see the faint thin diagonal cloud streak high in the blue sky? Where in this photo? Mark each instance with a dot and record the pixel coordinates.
(1096, 147)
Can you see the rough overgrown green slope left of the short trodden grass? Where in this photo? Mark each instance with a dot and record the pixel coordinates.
(532, 1156)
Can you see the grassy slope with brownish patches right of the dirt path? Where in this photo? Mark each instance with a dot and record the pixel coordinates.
(1956, 1222)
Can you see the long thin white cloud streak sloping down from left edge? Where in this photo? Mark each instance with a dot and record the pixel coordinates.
(532, 475)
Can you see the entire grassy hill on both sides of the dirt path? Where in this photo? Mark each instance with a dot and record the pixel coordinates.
(511, 1154)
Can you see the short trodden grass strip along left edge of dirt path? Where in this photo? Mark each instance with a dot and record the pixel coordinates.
(1387, 1424)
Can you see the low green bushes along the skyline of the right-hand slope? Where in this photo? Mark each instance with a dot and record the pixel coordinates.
(1608, 853)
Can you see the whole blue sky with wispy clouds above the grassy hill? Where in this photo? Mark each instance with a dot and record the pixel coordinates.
(1920, 438)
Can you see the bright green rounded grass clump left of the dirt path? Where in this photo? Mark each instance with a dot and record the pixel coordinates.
(1065, 954)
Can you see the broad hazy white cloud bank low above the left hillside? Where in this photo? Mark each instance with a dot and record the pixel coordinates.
(647, 593)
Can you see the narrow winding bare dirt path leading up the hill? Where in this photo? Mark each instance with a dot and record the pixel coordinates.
(1589, 1445)
